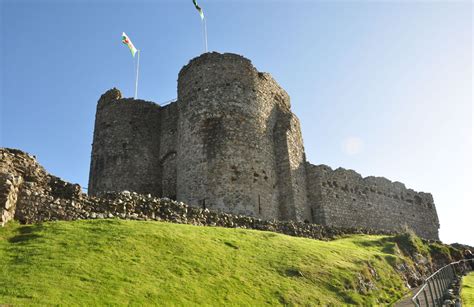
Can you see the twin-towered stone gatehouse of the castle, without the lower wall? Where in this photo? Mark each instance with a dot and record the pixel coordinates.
(229, 143)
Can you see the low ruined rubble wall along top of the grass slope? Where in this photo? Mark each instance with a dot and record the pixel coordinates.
(41, 197)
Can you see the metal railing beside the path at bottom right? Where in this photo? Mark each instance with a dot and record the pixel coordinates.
(435, 287)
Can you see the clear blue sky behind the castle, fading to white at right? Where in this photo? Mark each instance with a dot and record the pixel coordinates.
(382, 87)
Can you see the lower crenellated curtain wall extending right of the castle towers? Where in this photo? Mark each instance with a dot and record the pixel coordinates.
(343, 198)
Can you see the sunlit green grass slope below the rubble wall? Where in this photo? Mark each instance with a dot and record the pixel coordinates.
(117, 262)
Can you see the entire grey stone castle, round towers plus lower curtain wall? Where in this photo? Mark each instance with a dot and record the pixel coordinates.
(231, 143)
